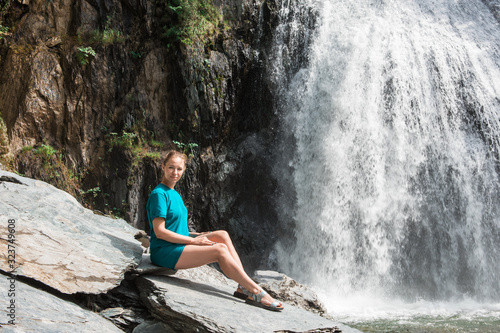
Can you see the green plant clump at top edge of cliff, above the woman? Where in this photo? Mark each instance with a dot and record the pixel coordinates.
(189, 19)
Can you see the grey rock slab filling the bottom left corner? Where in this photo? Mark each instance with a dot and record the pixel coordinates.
(35, 310)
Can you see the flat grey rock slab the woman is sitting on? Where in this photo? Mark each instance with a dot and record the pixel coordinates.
(200, 300)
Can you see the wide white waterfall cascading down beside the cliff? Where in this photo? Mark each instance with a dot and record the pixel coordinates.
(389, 155)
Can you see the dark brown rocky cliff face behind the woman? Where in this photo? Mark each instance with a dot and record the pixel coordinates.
(92, 92)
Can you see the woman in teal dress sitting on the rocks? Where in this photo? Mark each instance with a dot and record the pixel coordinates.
(172, 247)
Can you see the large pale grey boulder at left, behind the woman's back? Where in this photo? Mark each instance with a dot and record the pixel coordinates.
(59, 242)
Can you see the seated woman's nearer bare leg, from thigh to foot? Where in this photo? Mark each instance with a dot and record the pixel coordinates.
(195, 256)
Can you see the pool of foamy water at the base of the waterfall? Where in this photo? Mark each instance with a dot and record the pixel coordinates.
(390, 316)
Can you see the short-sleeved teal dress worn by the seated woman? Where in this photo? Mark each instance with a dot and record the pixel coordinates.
(167, 203)
